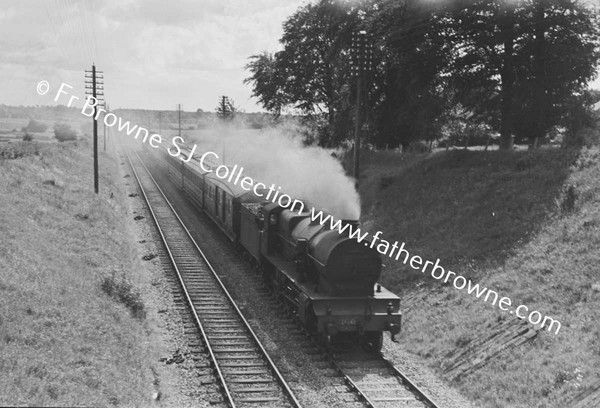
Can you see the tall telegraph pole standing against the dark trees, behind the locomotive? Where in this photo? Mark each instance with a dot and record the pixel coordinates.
(361, 62)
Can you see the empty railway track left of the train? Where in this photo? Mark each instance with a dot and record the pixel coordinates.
(246, 374)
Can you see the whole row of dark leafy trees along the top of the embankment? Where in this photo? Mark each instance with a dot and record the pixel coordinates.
(516, 67)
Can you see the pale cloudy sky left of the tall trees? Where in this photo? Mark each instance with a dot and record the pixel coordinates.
(154, 53)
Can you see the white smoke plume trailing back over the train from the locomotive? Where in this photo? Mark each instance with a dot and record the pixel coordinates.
(277, 156)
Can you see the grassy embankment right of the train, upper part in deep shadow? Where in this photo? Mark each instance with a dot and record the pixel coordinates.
(526, 224)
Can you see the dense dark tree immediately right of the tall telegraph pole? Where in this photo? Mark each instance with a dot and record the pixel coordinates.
(409, 97)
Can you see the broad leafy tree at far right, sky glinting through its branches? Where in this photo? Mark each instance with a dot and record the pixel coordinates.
(517, 64)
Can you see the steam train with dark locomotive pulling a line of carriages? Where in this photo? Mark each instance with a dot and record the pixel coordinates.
(327, 279)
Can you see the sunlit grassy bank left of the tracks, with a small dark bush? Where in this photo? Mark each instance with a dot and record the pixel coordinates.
(63, 340)
